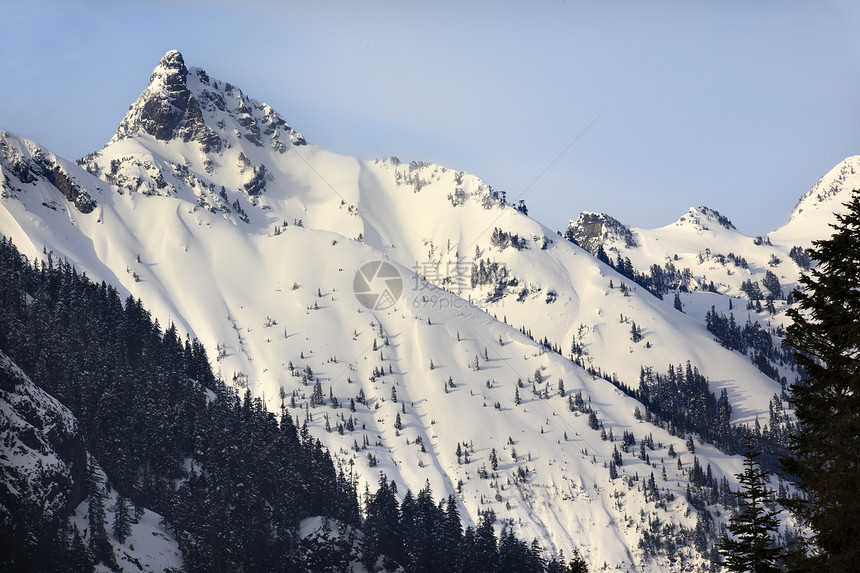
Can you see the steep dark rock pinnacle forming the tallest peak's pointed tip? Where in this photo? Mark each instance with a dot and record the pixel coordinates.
(167, 109)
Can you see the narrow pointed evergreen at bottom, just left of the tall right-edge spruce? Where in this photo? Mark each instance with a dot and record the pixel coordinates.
(752, 549)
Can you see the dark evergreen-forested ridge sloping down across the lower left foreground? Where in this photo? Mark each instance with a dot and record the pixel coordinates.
(232, 481)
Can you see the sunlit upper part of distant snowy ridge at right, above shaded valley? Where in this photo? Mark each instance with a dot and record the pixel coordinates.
(707, 243)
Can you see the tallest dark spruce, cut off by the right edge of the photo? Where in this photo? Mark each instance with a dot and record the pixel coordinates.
(824, 451)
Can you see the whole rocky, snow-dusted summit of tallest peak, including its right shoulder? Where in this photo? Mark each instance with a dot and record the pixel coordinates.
(186, 106)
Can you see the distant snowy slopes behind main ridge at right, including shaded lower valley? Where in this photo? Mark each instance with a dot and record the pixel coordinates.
(702, 253)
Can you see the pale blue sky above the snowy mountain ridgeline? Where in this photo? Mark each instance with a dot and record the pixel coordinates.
(660, 106)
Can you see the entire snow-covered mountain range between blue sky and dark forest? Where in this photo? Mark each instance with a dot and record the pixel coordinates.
(209, 207)
